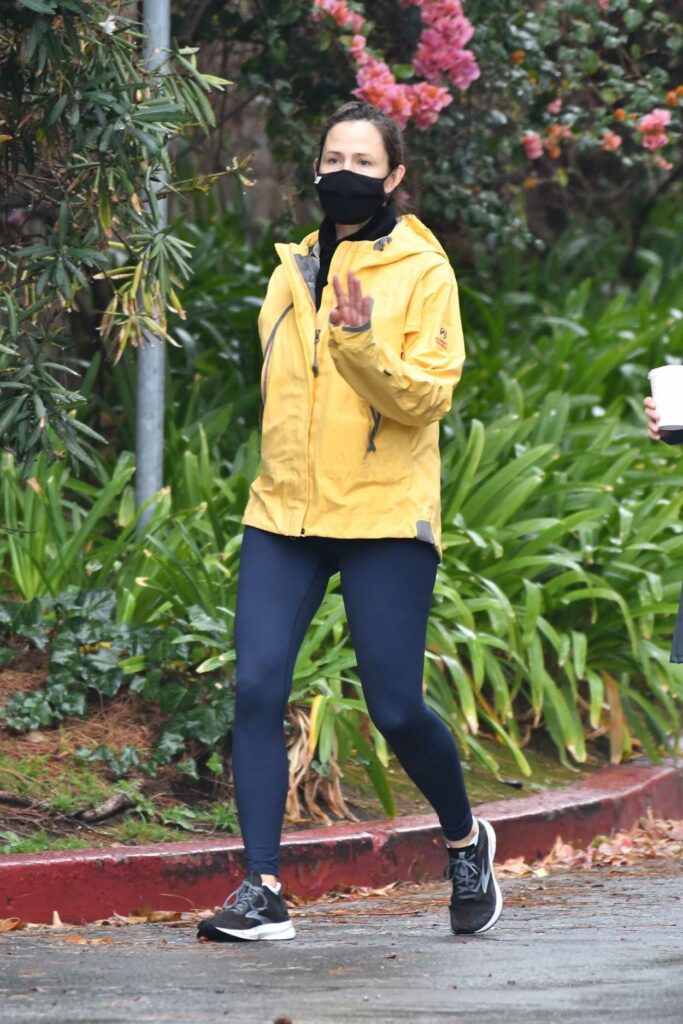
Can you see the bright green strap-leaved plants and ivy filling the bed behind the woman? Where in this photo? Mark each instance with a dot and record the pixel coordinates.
(564, 547)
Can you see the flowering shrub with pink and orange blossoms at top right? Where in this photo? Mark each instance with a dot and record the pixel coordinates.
(571, 96)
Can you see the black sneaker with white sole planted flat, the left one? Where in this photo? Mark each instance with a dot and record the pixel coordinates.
(252, 912)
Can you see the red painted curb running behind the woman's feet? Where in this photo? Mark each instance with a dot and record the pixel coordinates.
(84, 885)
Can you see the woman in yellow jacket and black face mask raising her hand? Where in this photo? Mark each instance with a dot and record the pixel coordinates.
(363, 347)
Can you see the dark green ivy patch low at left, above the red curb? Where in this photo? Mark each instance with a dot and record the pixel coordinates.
(92, 656)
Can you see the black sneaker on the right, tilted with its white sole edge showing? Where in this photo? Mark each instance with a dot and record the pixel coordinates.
(477, 901)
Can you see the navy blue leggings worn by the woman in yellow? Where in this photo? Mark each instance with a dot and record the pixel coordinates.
(388, 587)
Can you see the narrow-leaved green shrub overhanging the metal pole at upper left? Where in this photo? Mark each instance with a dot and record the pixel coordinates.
(86, 125)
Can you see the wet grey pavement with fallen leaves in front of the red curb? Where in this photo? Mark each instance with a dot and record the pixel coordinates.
(603, 946)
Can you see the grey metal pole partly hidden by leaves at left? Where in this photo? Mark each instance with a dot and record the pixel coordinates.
(151, 356)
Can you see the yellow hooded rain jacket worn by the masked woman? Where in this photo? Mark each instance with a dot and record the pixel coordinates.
(350, 445)
